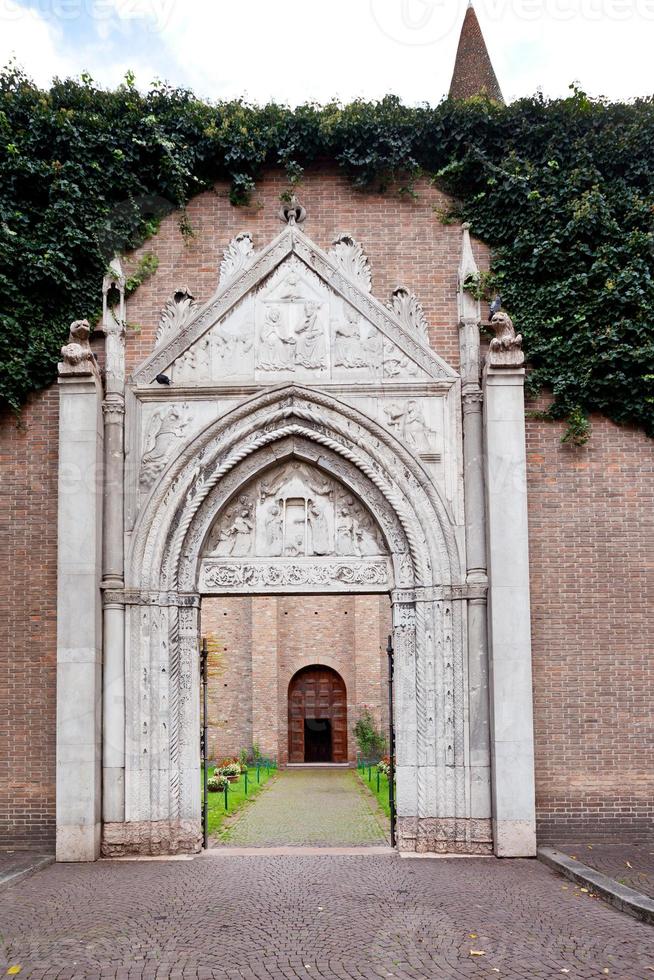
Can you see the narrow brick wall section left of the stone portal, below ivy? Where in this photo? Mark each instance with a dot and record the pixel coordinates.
(28, 584)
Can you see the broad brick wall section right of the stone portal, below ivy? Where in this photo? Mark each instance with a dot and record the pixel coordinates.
(591, 524)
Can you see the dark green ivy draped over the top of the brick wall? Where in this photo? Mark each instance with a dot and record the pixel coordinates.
(562, 191)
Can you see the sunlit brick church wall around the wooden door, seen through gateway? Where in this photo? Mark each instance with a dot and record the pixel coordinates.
(280, 635)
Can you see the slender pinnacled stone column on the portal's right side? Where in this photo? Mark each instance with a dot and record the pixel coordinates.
(476, 562)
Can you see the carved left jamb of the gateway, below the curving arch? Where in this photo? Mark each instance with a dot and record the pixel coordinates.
(162, 727)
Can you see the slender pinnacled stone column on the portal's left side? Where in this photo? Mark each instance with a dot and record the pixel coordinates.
(113, 724)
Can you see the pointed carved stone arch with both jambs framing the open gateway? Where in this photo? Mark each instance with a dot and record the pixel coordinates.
(425, 577)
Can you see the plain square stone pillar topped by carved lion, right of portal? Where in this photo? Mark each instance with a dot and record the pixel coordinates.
(512, 742)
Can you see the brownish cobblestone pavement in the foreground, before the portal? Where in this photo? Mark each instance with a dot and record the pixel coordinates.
(319, 916)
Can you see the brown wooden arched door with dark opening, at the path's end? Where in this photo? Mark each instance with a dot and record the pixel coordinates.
(317, 716)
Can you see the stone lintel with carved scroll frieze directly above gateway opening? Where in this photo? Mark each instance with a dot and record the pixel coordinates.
(285, 576)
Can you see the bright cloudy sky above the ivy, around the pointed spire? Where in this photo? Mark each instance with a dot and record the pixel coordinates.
(297, 50)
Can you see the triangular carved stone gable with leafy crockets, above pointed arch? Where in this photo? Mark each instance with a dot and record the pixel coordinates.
(293, 312)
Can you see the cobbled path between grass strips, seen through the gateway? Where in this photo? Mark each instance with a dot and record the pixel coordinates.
(320, 807)
